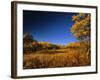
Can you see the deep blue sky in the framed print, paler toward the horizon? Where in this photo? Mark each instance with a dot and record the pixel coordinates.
(51, 27)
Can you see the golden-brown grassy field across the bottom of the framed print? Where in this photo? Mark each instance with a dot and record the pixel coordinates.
(68, 57)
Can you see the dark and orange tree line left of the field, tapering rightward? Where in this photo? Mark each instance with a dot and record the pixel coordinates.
(32, 45)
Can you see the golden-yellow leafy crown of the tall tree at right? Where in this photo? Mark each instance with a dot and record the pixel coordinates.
(81, 26)
